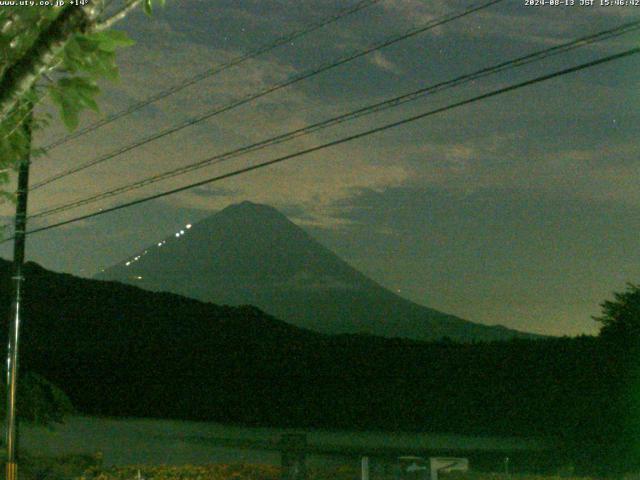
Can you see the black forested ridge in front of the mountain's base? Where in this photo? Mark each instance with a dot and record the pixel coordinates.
(118, 350)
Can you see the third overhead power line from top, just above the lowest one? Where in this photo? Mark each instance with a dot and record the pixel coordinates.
(370, 109)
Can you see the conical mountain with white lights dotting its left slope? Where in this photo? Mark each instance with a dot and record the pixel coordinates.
(252, 254)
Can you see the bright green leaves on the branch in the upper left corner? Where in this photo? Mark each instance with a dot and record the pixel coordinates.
(87, 57)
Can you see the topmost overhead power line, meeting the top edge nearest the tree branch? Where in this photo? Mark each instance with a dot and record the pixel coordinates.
(214, 71)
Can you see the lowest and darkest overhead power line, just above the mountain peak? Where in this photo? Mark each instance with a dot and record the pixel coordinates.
(340, 141)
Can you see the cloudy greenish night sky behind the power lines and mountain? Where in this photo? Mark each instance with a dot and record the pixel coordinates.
(522, 209)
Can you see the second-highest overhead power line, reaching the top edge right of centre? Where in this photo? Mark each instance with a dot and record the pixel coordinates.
(254, 96)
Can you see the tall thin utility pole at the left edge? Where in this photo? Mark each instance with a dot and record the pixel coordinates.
(16, 306)
